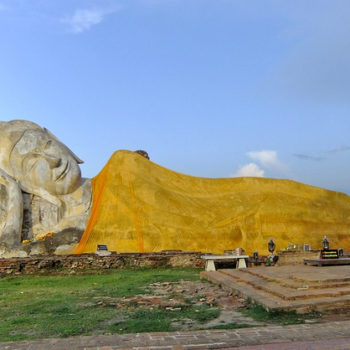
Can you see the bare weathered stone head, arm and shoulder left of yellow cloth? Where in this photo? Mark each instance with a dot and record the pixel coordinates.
(42, 194)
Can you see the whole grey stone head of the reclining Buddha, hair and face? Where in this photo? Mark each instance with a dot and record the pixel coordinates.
(37, 159)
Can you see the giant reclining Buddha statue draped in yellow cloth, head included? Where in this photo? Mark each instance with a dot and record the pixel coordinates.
(135, 205)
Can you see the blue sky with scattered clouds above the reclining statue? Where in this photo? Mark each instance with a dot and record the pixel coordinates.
(212, 88)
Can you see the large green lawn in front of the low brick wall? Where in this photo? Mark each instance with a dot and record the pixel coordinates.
(34, 307)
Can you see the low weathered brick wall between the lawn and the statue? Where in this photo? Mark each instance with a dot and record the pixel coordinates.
(71, 263)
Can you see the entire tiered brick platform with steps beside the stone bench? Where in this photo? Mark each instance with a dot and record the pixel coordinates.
(301, 288)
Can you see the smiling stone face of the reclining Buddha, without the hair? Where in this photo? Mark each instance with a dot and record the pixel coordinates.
(40, 161)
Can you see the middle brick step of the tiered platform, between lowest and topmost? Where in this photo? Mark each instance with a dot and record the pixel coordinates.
(283, 292)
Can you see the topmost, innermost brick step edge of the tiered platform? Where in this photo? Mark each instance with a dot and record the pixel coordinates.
(295, 282)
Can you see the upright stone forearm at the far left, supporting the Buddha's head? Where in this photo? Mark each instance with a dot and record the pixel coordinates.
(10, 233)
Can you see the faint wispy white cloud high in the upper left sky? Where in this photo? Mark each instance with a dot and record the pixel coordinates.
(83, 19)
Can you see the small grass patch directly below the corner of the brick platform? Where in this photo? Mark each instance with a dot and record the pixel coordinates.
(258, 313)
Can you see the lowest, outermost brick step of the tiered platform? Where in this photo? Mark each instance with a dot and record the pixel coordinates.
(273, 303)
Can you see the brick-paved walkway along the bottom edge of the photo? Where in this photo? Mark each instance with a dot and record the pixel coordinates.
(320, 336)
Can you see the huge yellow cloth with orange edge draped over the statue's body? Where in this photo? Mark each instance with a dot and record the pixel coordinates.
(139, 206)
